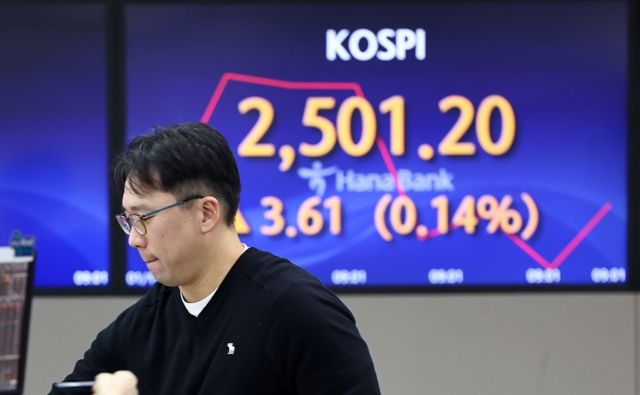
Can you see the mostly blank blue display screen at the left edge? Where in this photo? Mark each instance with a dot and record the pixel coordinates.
(53, 139)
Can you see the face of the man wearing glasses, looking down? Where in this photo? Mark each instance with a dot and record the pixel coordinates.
(170, 246)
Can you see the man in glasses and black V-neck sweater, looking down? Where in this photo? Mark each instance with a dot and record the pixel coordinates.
(223, 318)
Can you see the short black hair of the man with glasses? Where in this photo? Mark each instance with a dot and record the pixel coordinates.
(184, 160)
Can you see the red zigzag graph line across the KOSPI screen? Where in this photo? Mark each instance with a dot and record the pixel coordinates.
(388, 161)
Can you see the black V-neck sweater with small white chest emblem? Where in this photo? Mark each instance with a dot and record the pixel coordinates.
(271, 328)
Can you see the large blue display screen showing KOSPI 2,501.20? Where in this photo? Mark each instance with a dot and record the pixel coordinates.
(477, 144)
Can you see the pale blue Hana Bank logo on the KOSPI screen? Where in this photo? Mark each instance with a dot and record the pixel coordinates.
(352, 181)
